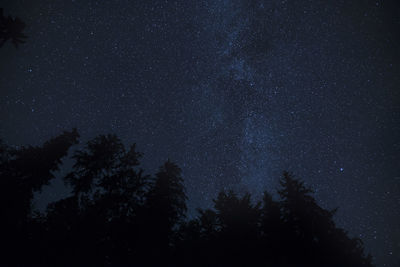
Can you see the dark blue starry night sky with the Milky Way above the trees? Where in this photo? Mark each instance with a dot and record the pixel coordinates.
(234, 91)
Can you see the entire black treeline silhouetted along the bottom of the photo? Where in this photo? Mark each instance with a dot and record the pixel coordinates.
(117, 214)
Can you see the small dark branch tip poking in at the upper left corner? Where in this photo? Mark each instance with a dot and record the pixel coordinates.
(11, 29)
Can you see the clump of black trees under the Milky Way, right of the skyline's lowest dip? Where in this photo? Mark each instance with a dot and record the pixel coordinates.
(292, 231)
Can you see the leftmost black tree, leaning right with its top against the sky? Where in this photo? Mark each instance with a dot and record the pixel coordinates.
(24, 171)
